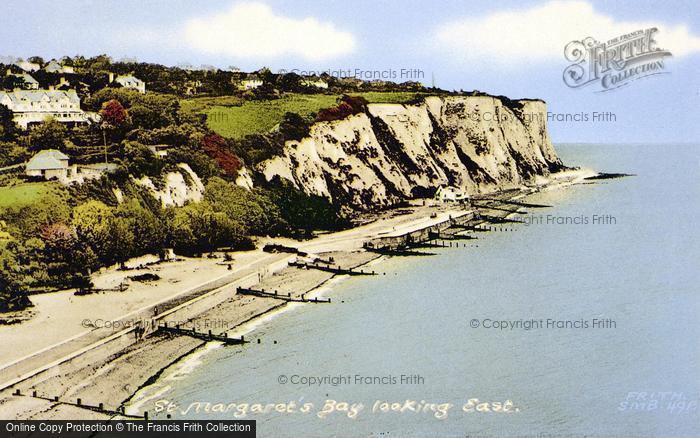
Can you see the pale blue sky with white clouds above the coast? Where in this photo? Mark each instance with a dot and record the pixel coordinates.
(512, 48)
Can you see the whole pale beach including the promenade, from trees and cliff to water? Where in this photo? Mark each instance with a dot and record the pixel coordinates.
(64, 368)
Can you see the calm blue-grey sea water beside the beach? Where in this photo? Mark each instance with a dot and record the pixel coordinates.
(640, 377)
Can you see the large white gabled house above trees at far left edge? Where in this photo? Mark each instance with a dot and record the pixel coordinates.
(34, 106)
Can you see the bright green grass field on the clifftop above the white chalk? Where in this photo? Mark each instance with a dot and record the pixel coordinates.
(227, 117)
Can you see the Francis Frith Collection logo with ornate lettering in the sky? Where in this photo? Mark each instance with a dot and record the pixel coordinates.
(616, 62)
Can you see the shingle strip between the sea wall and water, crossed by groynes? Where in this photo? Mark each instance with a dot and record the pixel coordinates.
(121, 375)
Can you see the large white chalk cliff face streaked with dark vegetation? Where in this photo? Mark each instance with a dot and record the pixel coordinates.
(396, 152)
